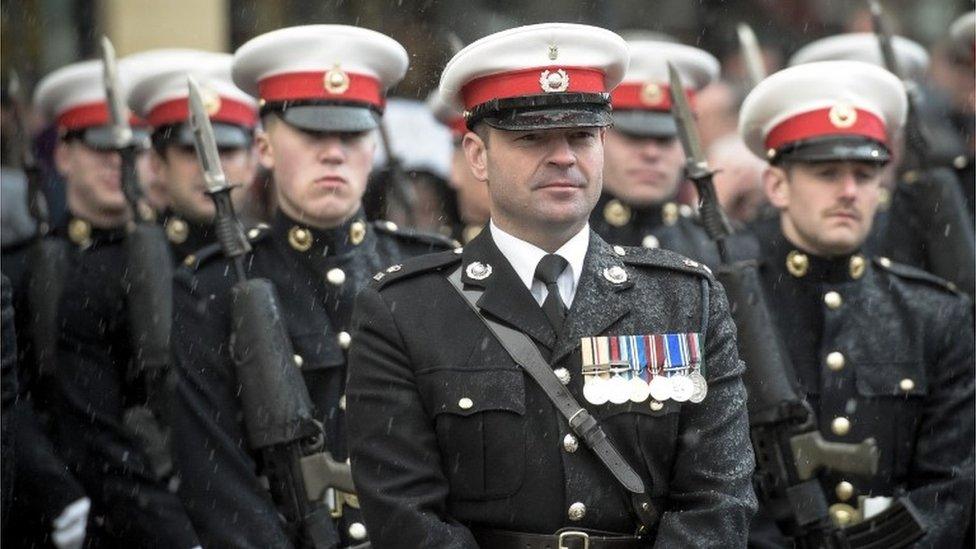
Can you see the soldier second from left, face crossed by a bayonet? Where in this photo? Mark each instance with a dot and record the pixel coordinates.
(160, 96)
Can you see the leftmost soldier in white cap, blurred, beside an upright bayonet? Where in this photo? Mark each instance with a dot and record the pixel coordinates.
(131, 505)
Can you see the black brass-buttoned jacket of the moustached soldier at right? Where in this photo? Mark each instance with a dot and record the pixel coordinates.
(883, 350)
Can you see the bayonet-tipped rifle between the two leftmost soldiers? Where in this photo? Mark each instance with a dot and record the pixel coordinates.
(147, 281)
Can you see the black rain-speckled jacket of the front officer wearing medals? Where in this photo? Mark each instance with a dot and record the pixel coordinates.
(448, 433)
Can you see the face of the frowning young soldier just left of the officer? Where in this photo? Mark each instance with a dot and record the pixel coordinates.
(319, 178)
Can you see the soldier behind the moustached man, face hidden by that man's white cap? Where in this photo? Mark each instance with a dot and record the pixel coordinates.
(926, 217)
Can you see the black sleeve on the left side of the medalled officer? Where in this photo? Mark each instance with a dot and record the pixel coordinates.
(395, 456)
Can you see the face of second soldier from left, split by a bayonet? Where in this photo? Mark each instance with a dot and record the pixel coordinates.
(180, 174)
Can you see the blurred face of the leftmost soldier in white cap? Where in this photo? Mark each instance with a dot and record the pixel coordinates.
(93, 177)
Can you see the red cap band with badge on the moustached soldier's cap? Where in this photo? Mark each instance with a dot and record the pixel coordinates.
(835, 120)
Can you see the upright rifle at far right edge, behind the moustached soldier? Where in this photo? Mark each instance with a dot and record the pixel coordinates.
(929, 190)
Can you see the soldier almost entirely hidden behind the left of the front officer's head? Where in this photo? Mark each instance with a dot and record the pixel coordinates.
(472, 195)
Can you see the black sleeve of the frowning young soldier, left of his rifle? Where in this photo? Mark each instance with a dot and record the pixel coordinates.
(219, 485)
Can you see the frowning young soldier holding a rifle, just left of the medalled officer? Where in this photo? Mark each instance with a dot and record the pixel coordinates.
(321, 91)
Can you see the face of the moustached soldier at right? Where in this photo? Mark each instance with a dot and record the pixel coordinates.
(826, 208)
